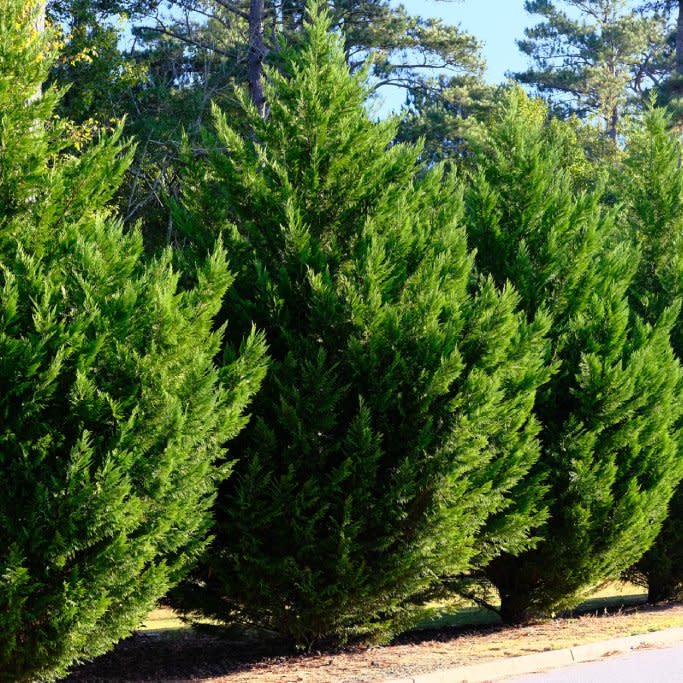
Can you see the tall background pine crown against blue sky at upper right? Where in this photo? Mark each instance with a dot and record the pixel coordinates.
(595, 58)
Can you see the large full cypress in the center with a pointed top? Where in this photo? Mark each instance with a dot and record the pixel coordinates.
(395, 419)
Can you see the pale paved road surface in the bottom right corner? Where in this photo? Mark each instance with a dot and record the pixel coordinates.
(644, 666)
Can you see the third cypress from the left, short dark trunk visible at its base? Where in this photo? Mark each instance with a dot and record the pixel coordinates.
(608, 416)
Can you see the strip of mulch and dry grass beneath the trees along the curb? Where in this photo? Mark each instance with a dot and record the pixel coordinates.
(183, 655)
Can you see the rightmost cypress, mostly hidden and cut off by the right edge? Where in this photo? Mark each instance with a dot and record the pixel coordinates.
(652, 193)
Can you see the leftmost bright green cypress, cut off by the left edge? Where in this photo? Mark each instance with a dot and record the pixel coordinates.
(113, 416)
